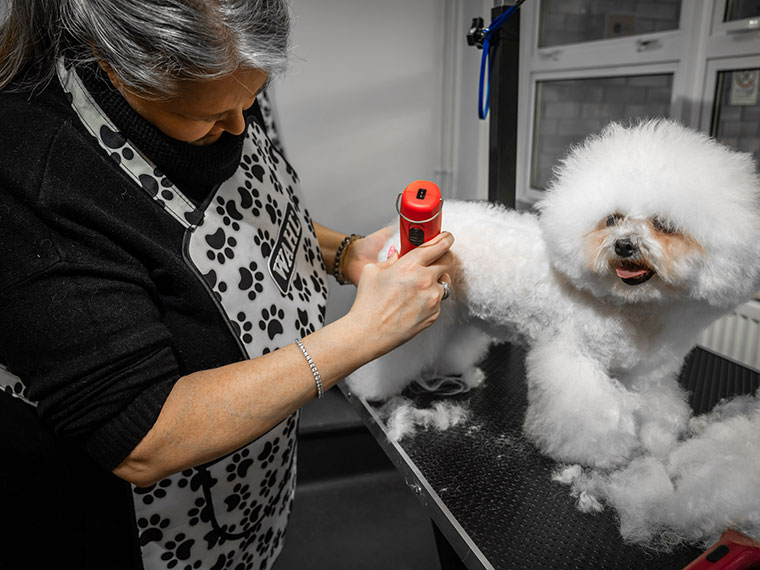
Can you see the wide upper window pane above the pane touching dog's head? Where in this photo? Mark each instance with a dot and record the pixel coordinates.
(573, 21)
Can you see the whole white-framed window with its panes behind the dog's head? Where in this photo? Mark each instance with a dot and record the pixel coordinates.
(584, 63)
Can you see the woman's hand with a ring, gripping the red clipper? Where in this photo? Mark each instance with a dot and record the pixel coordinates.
(398, 298)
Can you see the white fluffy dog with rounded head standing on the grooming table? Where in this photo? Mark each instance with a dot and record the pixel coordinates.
(647, 235)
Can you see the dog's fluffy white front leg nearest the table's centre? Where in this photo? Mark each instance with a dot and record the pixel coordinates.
(576, 412)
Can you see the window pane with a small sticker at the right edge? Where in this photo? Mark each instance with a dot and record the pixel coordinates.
(736, 116)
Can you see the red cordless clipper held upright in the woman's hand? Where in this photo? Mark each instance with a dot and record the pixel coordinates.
(419, 207)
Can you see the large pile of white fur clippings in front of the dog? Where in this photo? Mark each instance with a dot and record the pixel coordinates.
(705, 484)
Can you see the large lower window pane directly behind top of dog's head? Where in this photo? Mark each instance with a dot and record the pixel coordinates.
(569, 110)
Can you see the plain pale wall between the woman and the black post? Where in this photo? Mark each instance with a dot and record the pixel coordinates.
(361, 109)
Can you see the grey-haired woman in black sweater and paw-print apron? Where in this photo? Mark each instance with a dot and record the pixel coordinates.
(157, 261)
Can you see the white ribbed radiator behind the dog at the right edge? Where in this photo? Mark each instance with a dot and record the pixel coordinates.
(736, 336)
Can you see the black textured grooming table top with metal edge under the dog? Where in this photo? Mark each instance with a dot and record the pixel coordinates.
(490, 493)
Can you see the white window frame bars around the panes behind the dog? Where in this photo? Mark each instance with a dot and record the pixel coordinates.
(702, 46)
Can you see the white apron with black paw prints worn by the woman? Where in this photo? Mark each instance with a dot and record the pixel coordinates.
(253, 246)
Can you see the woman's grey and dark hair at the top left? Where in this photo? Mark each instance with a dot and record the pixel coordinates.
(151, 45)
